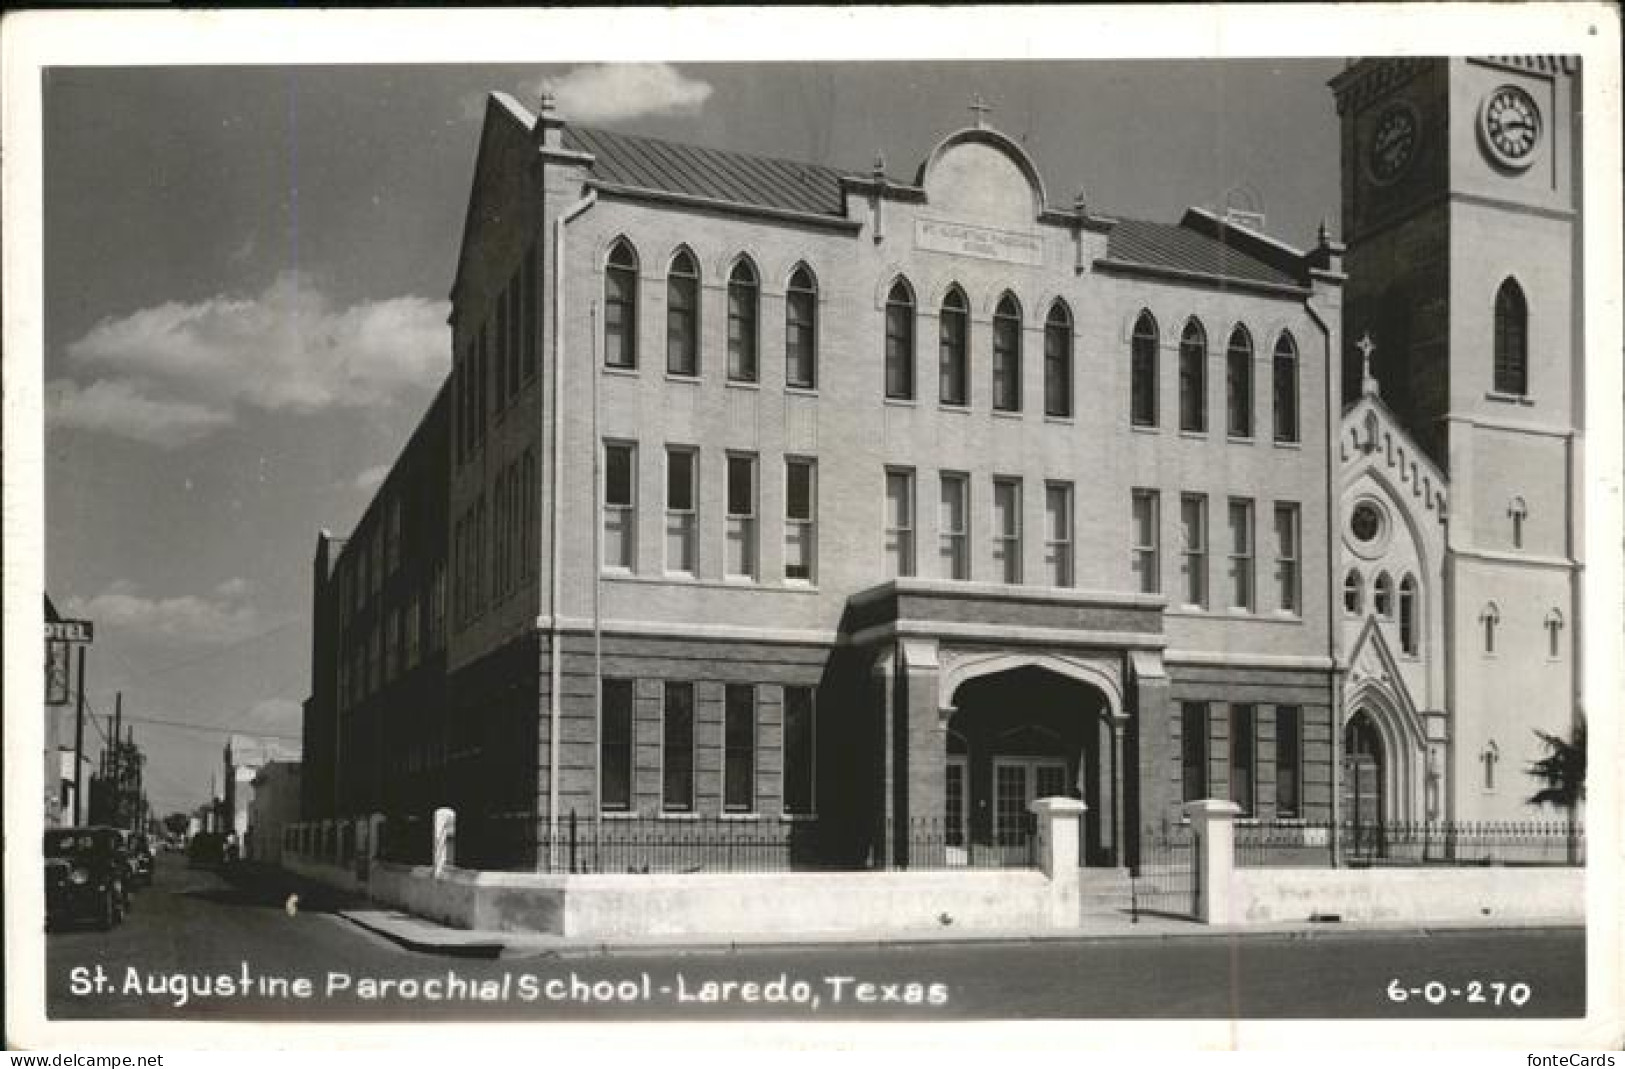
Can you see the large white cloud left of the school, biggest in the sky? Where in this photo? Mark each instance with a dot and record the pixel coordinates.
(184, 370)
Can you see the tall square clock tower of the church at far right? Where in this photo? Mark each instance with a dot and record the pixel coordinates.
(1462, 210)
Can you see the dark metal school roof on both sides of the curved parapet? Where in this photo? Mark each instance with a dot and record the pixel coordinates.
(812, 189)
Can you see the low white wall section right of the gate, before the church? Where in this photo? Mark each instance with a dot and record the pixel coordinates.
(1423, 896)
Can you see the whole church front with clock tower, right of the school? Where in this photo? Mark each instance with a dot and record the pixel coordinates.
(1462, 477)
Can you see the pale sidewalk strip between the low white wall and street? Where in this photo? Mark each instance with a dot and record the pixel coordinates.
(431, 938)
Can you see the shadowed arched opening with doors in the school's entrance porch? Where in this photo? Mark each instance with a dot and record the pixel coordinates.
(1028, 732)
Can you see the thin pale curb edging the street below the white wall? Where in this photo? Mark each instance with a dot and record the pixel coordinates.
(516, 946)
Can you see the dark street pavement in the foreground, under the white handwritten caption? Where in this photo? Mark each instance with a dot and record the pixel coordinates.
(201, 946)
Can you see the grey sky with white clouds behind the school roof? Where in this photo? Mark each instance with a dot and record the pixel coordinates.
(246, 279)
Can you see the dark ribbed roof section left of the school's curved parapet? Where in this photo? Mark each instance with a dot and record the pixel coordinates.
(713, 175)
